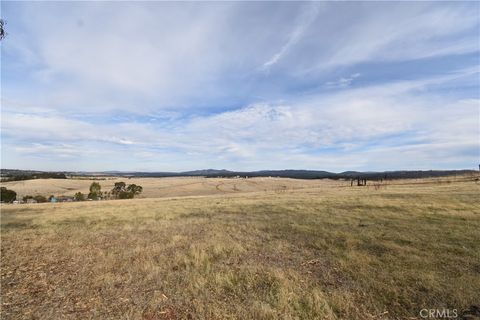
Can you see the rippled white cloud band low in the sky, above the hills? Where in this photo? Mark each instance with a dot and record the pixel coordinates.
(289, 135)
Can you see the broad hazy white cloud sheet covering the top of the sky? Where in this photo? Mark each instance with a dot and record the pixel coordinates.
(144, 58)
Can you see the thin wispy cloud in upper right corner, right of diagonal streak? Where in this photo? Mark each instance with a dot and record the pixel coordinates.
(386, 32)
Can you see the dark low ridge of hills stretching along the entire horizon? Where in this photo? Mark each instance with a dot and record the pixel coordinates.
(13, 174)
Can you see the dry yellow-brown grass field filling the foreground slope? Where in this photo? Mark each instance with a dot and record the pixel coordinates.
(316, 252)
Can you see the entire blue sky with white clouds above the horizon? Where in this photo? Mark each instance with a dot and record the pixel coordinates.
(176, 86)
